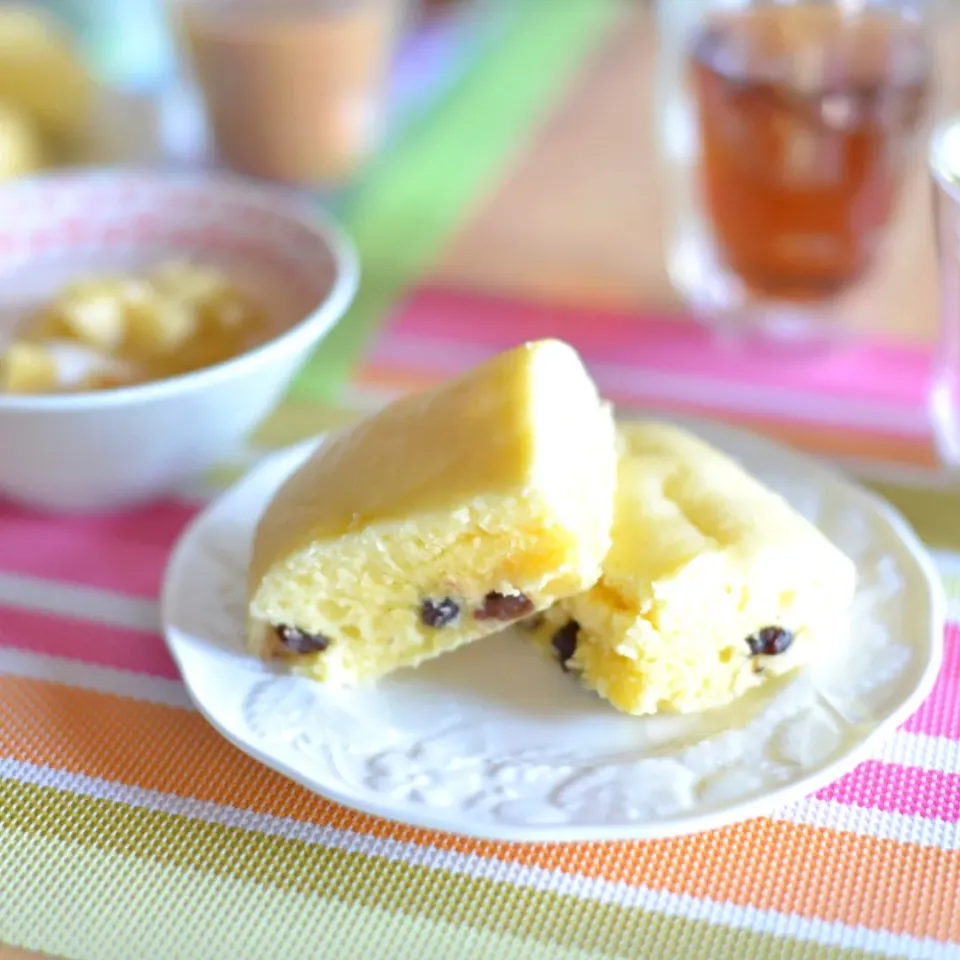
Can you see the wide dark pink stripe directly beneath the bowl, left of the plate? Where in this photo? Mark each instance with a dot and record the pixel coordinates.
(126, 552)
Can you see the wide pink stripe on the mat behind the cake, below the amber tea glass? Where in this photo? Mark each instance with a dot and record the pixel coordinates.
(876, 370)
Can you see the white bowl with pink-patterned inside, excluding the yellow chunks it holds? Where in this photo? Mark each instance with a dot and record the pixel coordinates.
(104, 450)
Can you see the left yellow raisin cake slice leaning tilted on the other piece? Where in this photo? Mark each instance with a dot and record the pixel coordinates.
(438, 520)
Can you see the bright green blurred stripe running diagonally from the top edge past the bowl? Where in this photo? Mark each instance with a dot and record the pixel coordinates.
(417, 195)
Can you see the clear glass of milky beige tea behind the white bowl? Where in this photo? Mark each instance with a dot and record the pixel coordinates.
(293, 90)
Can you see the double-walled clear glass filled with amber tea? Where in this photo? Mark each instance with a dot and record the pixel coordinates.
(786, 128)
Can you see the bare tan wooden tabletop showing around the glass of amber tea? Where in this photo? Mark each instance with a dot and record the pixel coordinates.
(580, 217)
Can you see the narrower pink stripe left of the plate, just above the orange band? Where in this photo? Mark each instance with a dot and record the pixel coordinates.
(105, 646)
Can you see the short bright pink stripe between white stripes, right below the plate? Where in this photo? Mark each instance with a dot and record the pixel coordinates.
(895, 789)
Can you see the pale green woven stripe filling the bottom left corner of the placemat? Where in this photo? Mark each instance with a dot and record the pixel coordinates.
(103, 904)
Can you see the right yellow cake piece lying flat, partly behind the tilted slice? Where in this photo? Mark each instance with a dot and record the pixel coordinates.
(713, 583)
